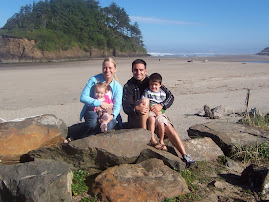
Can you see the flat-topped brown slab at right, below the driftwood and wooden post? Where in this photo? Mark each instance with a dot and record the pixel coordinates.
(227, 135)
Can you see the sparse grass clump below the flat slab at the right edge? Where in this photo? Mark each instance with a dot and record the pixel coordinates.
(249, 154)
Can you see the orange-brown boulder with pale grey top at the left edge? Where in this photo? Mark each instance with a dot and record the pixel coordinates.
(20, 136)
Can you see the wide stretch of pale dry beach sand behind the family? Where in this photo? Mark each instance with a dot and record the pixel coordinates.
(55, 88)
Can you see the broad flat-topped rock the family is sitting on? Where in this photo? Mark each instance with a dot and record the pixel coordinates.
(99, 151)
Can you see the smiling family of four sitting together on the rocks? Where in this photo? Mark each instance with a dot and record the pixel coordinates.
(144, 99)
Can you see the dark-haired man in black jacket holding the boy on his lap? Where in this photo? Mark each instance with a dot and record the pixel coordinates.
(138, 113)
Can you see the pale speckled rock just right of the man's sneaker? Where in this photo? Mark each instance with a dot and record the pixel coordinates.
(203, 149)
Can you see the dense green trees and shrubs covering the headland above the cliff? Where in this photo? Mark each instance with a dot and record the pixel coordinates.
(63, 24)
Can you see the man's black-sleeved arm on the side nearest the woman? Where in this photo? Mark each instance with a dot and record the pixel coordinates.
(128, 102)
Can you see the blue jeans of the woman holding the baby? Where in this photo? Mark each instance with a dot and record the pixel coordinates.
(91, 125)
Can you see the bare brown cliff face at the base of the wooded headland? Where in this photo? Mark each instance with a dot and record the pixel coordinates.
(15, 50)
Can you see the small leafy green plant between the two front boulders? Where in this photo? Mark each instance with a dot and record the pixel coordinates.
(79, 185)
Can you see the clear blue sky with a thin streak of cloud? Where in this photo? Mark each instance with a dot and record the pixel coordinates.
(206, 26)
